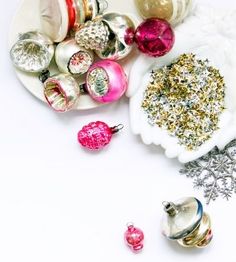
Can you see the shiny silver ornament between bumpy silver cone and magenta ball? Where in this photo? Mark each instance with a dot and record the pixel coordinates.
(119, 25)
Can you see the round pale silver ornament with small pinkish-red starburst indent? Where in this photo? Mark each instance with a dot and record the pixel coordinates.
(73, 59)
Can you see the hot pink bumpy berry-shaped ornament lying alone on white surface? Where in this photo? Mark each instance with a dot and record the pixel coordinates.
(97, 135)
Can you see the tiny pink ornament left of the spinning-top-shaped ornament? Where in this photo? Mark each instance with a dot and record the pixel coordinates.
(134, 238)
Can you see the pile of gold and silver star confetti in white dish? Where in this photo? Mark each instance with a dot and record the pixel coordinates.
(186, 98)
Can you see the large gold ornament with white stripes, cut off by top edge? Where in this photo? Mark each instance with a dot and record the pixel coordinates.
(174, 11)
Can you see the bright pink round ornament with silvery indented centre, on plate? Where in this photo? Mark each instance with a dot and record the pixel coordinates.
(106, 81)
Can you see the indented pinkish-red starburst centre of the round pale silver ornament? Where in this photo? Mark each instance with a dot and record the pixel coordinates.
(80, 63)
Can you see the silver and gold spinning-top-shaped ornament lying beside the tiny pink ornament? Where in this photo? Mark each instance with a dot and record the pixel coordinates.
(185, 222)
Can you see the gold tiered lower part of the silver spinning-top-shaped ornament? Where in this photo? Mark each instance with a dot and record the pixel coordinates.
(200, 235)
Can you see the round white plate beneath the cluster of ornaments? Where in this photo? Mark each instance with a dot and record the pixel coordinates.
(27, 19)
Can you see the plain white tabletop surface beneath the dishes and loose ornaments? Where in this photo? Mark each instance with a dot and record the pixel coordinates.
(60, 203)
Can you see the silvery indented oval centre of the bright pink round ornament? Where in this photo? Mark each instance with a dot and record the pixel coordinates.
(98, 82)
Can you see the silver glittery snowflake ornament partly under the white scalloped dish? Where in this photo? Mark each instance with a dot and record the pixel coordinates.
(214, 173)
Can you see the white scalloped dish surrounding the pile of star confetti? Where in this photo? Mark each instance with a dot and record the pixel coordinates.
(210, 35)
